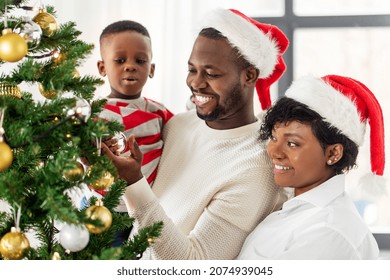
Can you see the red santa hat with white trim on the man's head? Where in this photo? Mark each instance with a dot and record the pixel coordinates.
(260, 44)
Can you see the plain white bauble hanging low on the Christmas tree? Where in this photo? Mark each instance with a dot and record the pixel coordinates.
(74, 237)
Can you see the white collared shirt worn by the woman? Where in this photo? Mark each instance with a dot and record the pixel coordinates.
(322, 223)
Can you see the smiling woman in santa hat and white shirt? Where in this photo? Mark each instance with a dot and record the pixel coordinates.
(314, 133)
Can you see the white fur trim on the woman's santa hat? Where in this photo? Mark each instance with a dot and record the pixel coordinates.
(336, 108)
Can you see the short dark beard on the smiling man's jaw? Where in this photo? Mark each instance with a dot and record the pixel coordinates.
(233, 101)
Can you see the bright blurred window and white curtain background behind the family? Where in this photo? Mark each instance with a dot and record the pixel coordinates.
(344, 37)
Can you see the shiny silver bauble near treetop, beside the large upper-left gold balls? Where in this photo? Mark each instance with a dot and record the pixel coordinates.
(30, 31)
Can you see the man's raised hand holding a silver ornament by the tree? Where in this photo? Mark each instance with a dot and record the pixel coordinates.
(129, 168)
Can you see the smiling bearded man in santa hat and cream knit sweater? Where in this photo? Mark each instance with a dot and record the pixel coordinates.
(215, 181)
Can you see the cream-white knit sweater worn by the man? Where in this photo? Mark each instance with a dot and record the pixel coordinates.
(212, 188)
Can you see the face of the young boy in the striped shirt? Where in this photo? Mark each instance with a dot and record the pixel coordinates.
(126, 60)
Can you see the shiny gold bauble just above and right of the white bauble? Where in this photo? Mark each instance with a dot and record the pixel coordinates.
(101, 213)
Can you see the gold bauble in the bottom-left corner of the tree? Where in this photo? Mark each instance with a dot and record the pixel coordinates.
(14, 244)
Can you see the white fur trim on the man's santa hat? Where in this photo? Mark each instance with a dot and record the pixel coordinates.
(255, 46)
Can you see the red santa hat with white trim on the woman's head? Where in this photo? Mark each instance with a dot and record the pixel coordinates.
(347, 104)
